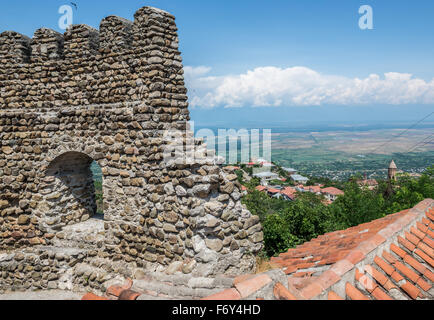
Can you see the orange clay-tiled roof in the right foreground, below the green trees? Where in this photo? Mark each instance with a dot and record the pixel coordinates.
(389, 258)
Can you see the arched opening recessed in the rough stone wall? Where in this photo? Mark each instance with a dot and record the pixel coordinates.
(67, 191)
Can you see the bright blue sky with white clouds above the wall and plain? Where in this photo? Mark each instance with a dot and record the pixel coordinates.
(313, 45)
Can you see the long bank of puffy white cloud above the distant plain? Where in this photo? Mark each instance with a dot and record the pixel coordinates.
(301, 86)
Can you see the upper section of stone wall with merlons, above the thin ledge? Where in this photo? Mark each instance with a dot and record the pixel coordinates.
(123, 61)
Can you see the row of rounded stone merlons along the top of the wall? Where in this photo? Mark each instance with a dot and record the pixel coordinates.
(115, 35)
